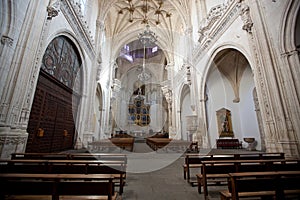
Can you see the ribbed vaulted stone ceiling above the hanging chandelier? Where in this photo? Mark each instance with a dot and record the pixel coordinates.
(118, 25)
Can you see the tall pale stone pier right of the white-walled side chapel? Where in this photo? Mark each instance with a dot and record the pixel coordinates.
(266, 73)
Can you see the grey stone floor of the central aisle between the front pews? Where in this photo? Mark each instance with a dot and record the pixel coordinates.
(166, 183)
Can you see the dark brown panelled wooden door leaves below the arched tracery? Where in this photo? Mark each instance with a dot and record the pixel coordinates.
(52, 112)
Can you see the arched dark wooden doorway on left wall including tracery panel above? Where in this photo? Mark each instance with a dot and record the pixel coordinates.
(53, 114)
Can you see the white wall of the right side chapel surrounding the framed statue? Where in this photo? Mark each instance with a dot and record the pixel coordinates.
(221, 95)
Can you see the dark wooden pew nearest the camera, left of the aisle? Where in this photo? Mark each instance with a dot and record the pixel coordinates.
(57, 185)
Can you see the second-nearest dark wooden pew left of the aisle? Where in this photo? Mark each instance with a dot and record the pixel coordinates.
(116, 168)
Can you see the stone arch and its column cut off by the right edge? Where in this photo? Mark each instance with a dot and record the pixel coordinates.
(289, 45)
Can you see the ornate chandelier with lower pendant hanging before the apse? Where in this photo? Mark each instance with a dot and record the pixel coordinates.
(147, 38)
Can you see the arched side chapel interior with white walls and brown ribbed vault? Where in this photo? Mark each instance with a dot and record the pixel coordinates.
(229, 82)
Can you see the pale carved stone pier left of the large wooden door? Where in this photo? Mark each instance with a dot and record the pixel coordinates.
(20, 64)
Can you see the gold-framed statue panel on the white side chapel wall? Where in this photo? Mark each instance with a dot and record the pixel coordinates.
(224, 123)
